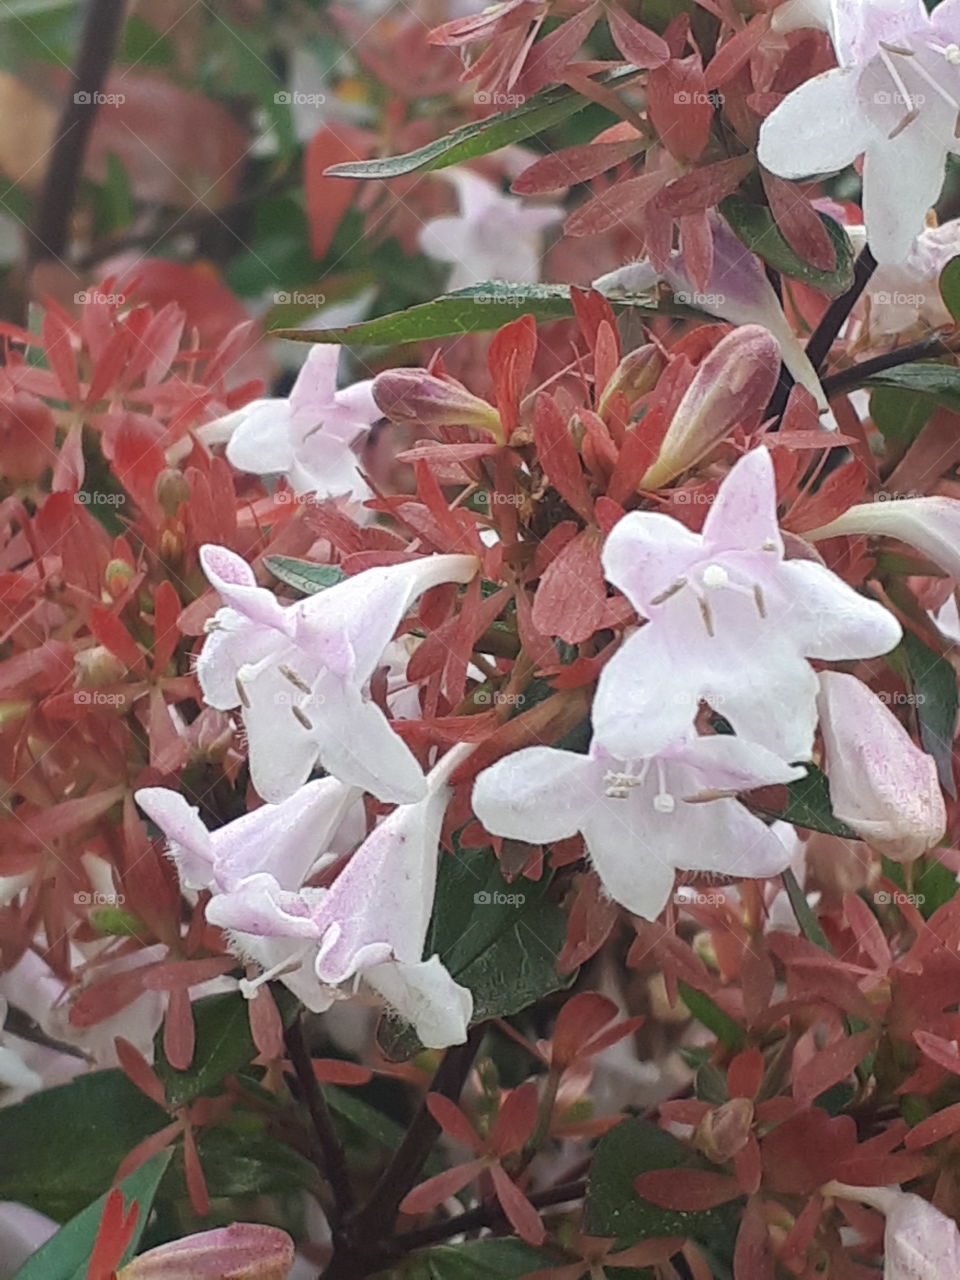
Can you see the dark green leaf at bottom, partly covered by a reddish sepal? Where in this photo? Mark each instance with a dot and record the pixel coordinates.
(614, 1206)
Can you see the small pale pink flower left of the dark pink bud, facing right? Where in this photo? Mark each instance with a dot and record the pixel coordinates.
(309, 436)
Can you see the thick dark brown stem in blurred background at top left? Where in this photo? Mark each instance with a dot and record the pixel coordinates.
(49, 236)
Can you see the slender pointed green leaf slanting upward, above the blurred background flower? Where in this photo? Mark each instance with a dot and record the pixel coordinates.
(482, 138)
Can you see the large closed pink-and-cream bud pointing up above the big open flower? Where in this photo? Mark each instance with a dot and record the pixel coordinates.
(732, 387)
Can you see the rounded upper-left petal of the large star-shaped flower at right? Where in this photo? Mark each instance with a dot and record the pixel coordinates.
(646, 554)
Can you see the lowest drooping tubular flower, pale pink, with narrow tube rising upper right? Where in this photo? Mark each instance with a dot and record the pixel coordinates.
(372, 924)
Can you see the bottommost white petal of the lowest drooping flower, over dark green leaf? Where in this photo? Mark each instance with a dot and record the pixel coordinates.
(426, 995)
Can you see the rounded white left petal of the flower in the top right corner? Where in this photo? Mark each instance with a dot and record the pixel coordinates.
(819, 129)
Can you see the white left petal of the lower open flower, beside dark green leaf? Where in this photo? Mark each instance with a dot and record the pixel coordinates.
(540, 794)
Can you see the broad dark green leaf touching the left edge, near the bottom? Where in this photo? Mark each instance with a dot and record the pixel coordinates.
(95, 1121)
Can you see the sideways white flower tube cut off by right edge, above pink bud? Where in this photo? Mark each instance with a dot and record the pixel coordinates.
(932, 525)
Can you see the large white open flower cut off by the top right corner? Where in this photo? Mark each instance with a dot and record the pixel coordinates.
(894, 99)
